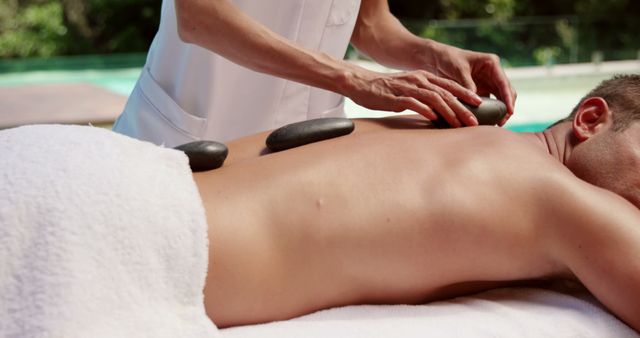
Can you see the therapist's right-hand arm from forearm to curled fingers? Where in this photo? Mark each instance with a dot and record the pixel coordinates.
(383, 38)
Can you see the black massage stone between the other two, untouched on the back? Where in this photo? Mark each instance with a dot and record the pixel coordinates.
(305, 132)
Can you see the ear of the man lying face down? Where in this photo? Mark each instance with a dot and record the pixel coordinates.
(592, 117)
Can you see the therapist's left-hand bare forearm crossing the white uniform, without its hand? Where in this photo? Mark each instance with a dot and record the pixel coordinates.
(221, 27)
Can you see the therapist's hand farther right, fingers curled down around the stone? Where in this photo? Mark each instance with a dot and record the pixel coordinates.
(479, 72)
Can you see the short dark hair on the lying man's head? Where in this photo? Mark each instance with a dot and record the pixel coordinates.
(622, 93)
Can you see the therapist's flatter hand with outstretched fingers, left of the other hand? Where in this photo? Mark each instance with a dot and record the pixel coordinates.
(420, 91)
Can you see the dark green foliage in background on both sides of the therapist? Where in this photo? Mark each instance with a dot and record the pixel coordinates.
(522, 32)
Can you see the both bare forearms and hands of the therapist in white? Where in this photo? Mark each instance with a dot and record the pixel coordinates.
(436, 75)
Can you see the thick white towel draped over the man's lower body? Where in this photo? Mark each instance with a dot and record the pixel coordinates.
(100, 236)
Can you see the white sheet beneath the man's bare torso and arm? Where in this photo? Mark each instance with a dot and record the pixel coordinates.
(516, 312)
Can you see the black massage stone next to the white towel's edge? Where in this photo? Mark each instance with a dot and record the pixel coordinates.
(204, 155)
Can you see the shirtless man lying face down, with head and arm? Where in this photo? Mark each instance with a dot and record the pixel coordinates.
(428, 214)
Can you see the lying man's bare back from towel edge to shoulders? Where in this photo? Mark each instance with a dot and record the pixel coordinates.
(386, 215)
